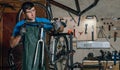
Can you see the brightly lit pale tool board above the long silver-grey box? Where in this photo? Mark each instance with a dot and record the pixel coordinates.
(84, 30)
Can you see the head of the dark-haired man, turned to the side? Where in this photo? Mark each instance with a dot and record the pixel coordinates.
(29, 11)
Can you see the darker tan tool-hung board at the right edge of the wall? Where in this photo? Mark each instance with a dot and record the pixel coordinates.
(110, 27)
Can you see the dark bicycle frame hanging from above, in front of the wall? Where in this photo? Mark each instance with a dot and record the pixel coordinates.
(78, 11)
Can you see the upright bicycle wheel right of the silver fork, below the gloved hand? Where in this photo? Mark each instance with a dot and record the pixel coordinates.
(62, 58)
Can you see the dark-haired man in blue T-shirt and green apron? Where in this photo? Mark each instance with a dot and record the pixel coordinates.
(30, 38)
